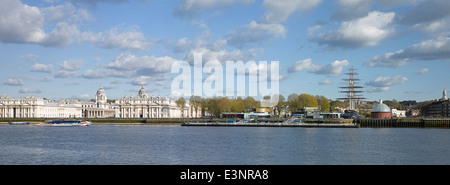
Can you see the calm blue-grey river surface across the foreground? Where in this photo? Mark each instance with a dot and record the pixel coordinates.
(115, 144)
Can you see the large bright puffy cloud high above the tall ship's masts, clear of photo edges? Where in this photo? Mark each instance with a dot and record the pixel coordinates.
(361, 32)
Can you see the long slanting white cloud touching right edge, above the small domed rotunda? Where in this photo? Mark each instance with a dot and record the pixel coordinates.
(433, 49)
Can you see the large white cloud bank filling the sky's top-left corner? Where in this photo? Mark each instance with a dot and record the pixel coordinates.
(20, 23)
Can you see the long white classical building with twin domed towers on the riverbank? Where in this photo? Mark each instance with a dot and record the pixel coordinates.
(142, 106)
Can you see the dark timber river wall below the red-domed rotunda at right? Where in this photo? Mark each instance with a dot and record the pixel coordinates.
(404, 123)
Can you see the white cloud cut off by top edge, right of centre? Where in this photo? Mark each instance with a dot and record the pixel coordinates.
(278, 11)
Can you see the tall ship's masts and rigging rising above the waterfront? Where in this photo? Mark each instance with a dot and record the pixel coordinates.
(352, 90)
